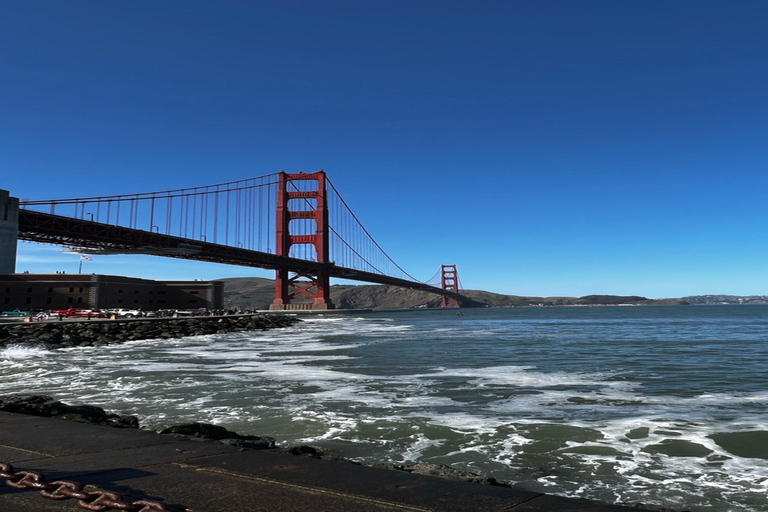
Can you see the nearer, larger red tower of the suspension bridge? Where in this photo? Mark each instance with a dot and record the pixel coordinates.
(302, 289)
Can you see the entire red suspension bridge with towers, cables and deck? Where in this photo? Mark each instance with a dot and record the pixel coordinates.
(294, 223)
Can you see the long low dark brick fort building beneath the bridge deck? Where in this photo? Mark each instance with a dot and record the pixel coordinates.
(62, 291)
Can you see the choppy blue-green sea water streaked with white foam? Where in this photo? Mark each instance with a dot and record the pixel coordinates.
(662, 405)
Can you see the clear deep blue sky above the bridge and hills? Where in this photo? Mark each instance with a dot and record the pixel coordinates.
(545, 147)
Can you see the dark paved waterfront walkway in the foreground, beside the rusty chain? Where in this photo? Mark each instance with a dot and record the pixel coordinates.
(208, 476)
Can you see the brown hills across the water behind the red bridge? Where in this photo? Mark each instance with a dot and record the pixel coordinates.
(257, 293)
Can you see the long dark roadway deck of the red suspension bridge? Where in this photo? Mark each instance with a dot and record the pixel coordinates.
(109, 239)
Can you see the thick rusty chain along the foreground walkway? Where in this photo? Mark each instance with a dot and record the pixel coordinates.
(97, 499)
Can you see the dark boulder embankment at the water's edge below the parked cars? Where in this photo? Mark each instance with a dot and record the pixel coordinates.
(104, 332)
